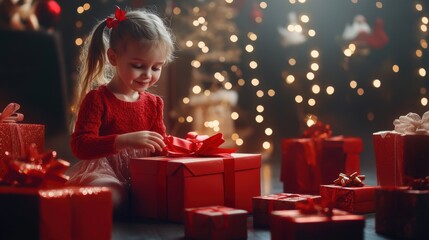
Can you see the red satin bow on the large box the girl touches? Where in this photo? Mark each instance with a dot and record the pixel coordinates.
(196, 145)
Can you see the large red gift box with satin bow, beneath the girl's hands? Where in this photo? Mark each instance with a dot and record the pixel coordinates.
(238, 171)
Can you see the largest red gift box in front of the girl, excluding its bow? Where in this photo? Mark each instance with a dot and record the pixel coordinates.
(236, 179)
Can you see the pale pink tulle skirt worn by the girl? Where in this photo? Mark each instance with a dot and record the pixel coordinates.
(115, 168)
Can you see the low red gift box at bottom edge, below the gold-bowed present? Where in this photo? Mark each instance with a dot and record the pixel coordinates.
(293, 224)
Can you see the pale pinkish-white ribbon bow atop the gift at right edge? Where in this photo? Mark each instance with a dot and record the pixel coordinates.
(412, 124)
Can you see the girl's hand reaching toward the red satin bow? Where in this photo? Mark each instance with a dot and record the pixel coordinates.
(142, 139)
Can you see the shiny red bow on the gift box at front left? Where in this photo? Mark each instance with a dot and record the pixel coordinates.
(35, 170)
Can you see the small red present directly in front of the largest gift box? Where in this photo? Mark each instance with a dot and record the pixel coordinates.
(215, 222)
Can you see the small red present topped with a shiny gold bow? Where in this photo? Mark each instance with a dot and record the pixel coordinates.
(349, 193)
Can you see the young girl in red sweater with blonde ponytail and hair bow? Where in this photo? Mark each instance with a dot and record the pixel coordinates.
(117, 118)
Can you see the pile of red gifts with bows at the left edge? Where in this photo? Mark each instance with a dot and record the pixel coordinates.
(34, 203)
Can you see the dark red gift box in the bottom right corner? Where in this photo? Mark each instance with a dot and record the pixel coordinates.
(402, 213)
